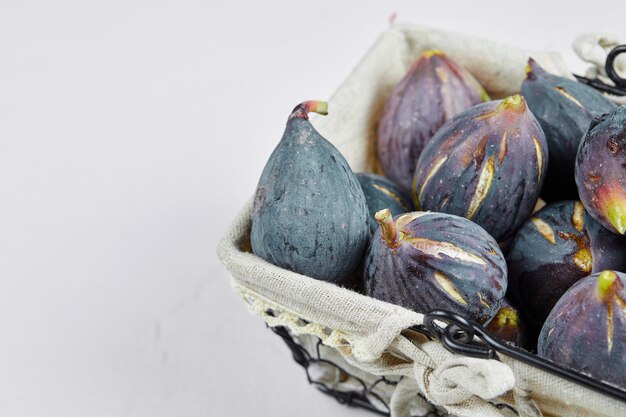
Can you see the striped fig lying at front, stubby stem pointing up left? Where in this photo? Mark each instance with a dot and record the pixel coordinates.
(425, 261)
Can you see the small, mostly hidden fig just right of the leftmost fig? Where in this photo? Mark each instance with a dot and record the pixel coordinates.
(382, 193)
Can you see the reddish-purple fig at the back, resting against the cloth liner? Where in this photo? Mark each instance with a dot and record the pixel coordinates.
(435, 89)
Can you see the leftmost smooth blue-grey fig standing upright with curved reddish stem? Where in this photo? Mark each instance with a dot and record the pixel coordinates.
(309, 215)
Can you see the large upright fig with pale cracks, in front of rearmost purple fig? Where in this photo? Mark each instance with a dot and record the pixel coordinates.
(486, 164)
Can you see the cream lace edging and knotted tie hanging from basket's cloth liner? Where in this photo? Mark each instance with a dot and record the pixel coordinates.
(464, 386)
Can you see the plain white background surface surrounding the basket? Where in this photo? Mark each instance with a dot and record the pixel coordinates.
(131, 132)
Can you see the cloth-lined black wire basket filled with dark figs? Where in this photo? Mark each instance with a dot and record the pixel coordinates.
(444, 235)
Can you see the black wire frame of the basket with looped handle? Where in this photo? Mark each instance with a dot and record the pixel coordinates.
(454, 332)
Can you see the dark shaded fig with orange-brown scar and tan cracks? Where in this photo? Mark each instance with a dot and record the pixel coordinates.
(554, 249)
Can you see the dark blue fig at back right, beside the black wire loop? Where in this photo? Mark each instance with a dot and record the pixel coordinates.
(564, 109)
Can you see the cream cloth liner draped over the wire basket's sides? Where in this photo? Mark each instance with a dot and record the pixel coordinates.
(382, 357)
